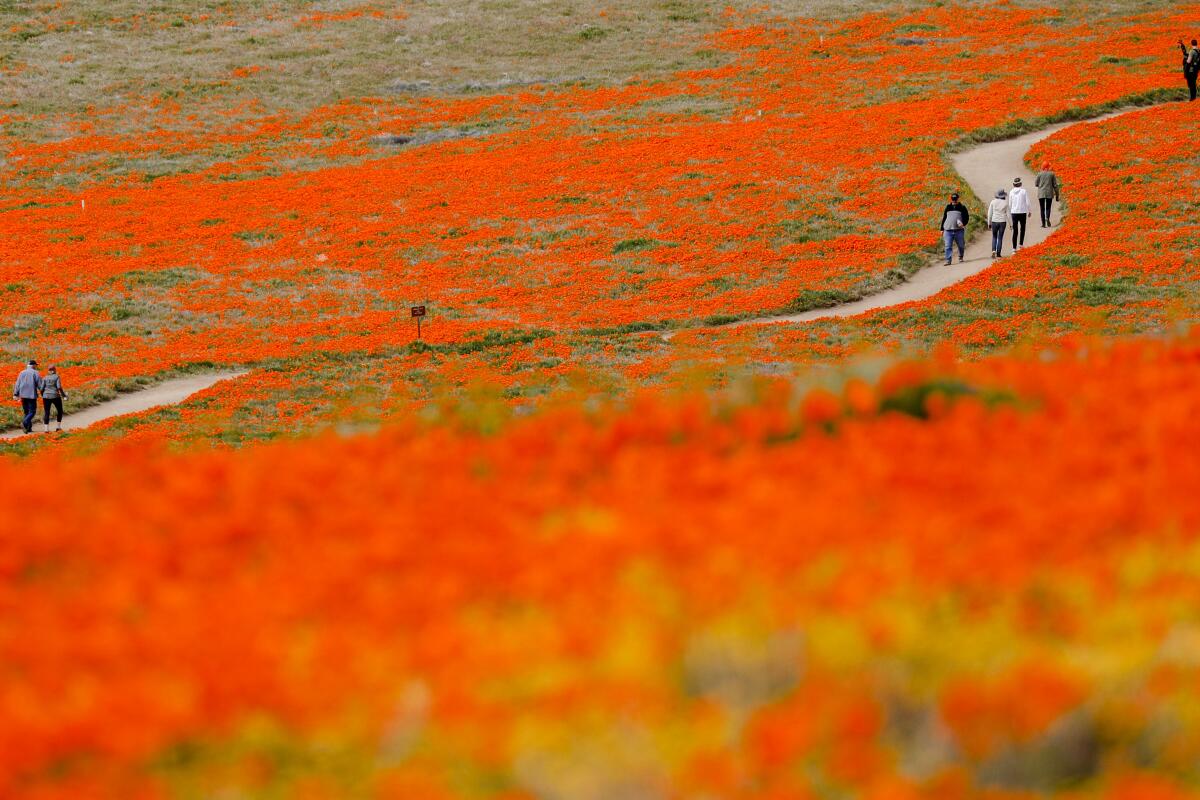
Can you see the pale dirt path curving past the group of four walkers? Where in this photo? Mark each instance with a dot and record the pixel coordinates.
(986, 169)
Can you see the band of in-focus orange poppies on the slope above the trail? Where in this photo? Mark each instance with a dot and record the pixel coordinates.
(806, 170)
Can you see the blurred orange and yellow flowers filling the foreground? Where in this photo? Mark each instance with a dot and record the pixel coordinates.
(964, 580)
